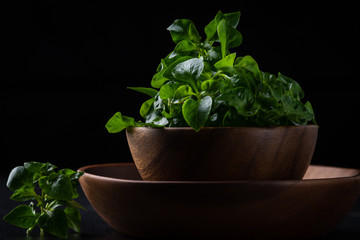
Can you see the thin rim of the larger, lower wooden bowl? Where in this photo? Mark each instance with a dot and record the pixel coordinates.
(232, 182)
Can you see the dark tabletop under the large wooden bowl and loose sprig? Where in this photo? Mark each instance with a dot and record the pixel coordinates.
(93, 227)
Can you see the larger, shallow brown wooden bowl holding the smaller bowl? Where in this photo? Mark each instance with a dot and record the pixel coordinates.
(280, 209)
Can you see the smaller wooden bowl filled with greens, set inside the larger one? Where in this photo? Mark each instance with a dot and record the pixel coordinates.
(231, 153)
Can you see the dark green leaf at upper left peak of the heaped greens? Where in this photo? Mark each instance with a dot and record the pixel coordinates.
(184, 29)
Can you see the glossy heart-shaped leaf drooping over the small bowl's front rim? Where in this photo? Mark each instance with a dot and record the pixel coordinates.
(196, 112)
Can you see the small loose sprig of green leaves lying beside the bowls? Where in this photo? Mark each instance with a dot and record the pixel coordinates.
(51, 194)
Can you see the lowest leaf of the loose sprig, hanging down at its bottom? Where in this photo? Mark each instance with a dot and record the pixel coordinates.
(54, 222)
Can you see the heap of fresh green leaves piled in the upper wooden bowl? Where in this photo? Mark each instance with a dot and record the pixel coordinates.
(201, 83)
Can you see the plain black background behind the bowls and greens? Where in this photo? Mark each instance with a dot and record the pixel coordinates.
(65, 66)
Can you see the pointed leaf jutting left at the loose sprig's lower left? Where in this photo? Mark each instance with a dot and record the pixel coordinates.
(22, 216)
